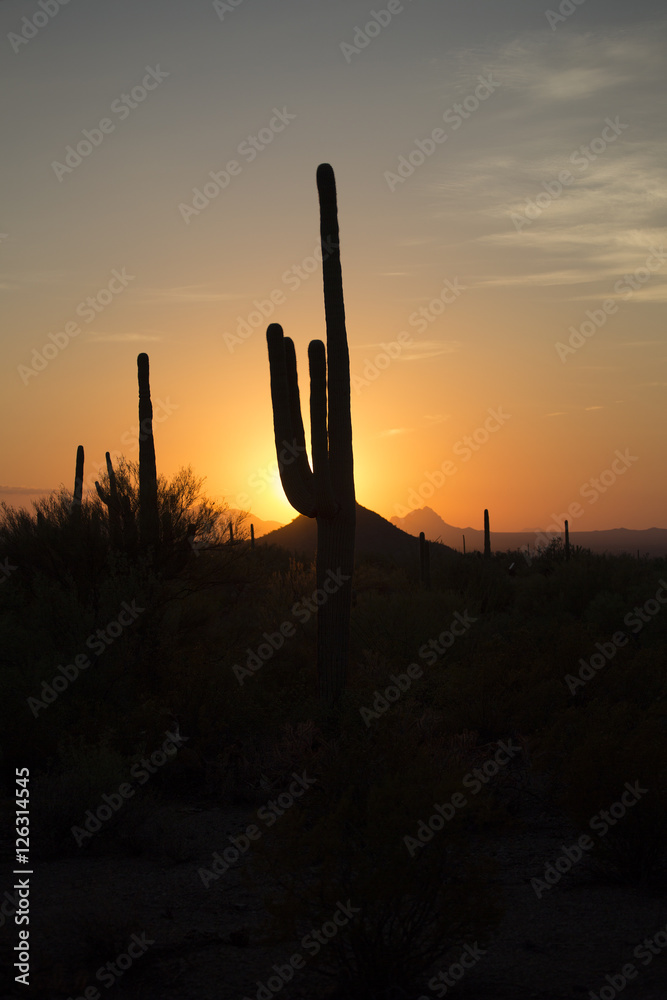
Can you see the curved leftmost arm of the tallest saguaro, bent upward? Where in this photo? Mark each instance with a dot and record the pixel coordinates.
(295, 472)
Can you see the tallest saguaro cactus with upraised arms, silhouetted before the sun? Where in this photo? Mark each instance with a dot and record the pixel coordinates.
(326, 491)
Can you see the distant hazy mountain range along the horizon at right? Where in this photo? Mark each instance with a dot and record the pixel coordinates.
(648, 541)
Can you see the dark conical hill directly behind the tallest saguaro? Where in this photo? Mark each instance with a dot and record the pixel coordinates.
(374, 535)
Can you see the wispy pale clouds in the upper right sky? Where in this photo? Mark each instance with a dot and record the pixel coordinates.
(558, 93)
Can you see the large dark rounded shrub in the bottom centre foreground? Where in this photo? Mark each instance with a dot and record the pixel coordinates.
(413, 903)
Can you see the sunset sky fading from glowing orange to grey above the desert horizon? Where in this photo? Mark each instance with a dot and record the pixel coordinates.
(537, 221)
